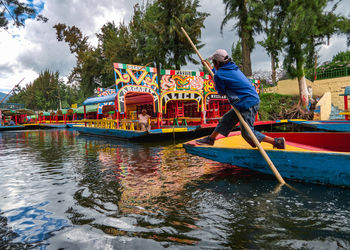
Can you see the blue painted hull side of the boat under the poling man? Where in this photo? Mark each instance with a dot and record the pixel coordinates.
(314, 167)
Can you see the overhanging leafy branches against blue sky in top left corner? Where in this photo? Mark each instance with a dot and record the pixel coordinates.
(17, 12)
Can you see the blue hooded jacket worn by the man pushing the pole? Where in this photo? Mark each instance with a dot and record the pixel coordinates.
(240, 92)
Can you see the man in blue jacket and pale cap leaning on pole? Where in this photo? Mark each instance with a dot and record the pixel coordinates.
(241, 94)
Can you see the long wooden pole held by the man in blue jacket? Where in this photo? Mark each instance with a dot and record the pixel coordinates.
(242, 121)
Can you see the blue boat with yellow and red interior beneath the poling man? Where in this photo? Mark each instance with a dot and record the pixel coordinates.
(314, 157)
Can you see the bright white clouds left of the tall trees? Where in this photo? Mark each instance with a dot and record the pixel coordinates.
(25, 52)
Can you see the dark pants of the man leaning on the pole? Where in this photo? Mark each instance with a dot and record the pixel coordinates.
(230, 119)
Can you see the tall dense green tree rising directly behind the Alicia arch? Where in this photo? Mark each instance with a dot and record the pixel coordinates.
(166, 45)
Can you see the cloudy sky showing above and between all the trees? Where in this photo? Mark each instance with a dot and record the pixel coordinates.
(27, 51)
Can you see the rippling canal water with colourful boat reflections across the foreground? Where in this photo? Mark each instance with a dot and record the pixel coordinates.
(60, 190)
